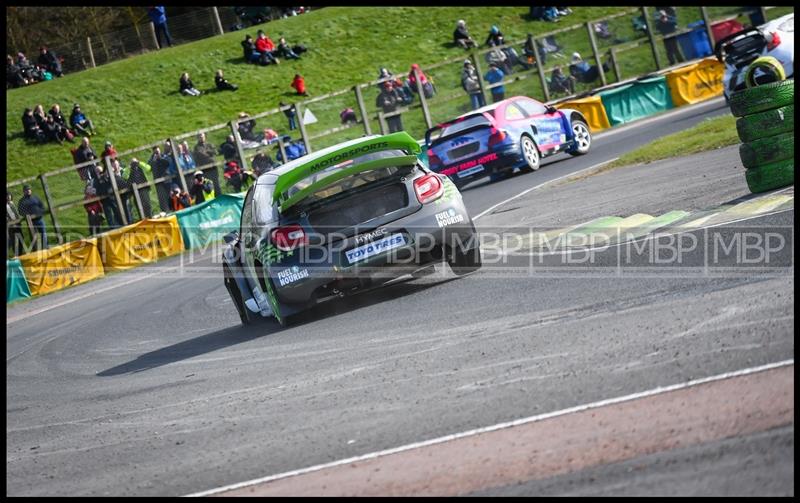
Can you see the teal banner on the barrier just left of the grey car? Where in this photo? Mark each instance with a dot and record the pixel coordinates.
(210, 221)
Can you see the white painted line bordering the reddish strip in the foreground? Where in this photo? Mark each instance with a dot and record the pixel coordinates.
(540, 417)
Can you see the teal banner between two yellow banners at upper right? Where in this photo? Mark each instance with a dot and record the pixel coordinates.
(636, 100)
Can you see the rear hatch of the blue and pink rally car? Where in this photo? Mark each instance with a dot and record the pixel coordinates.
(458, 141)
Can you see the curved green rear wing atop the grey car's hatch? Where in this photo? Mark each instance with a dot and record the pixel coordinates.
(394, 141)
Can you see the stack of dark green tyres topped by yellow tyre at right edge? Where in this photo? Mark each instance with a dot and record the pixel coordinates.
(766, 129)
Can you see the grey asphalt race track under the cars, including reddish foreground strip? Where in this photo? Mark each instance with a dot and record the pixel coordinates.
(145, 383)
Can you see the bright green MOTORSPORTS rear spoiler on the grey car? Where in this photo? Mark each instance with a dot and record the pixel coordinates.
(400, 140)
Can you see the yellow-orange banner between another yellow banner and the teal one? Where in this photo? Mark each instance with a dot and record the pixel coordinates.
(145, 241)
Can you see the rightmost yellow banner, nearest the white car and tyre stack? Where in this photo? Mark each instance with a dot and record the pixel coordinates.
(697, 82)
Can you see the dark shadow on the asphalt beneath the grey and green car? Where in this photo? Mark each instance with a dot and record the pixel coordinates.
(232, 336)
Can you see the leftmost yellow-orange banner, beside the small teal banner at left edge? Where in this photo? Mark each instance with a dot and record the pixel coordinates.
(61, 266)
